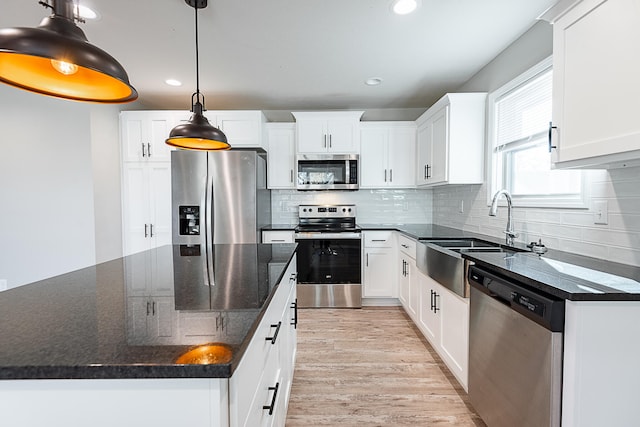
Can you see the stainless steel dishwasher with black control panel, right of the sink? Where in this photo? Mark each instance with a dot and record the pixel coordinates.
(515, 352)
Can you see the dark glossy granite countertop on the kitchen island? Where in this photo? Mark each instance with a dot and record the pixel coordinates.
(134, 316)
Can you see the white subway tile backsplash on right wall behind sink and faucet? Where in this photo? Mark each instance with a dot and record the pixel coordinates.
(571, 230)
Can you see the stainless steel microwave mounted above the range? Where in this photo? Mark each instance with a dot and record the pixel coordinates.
(327, 172)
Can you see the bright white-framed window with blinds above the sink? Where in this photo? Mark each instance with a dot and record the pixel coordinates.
(520, 113)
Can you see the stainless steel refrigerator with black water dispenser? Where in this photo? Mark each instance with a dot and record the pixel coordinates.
(219, 196)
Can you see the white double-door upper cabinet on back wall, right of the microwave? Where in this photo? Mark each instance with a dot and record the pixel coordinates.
(387, 154)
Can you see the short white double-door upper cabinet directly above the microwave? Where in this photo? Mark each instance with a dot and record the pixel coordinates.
(328, 132)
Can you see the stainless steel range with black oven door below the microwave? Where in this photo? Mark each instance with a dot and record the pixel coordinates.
(329, 257)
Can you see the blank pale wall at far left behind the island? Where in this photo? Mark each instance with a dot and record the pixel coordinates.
(47, 215)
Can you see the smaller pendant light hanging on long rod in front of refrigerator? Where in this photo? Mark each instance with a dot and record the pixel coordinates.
(198, 133)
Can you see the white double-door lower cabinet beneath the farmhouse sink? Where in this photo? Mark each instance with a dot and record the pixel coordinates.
(444, 321)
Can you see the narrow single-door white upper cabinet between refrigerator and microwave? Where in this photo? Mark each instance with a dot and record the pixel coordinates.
(281, 157)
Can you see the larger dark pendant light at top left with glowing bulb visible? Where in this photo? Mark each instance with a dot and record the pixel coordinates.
(56, 59)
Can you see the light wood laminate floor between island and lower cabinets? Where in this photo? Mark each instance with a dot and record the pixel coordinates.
(371, 367)
